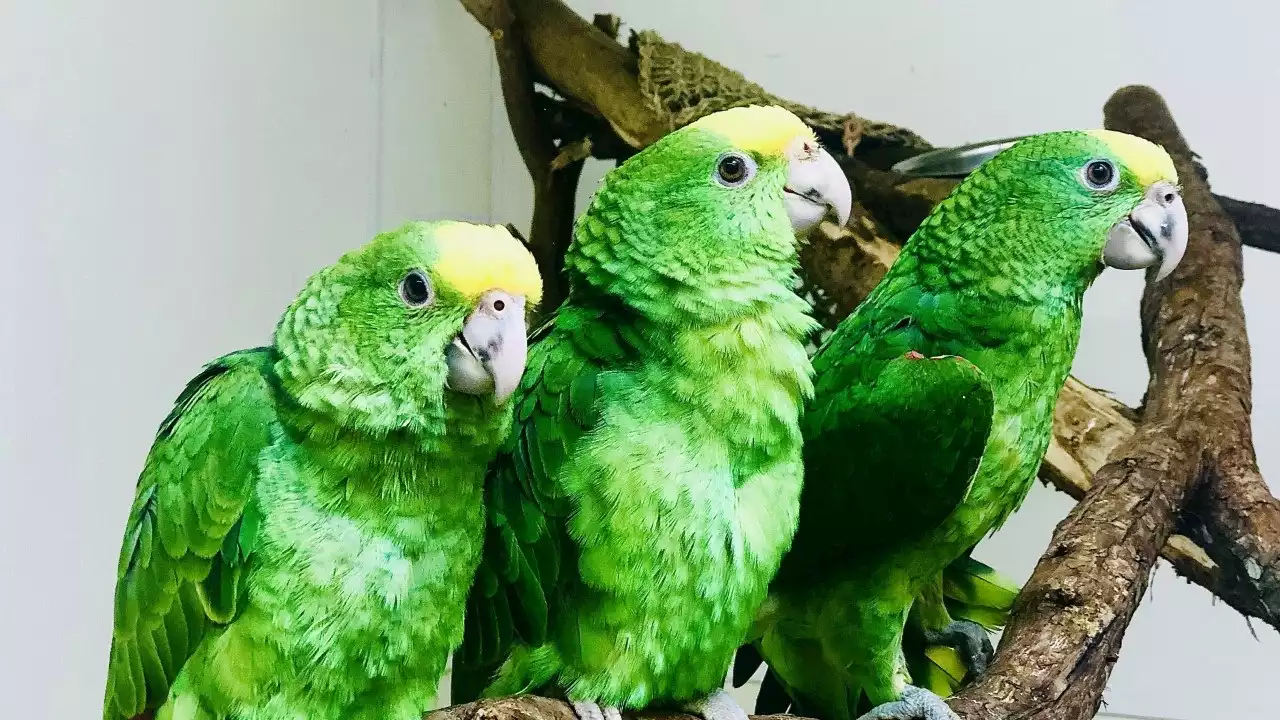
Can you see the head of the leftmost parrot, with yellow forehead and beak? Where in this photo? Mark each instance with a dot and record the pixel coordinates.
(385, 338)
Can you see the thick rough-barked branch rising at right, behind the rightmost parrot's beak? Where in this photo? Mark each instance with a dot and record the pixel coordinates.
(1067, 628)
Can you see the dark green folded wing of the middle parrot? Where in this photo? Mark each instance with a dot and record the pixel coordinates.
(529, 560)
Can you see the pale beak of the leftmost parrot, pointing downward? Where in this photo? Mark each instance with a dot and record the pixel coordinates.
(488, 357)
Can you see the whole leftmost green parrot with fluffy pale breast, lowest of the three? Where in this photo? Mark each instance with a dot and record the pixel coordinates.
(310, 517)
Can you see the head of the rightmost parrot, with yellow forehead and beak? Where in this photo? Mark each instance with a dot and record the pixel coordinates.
(1107, 199)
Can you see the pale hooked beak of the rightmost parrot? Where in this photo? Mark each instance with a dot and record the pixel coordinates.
(1154, 235)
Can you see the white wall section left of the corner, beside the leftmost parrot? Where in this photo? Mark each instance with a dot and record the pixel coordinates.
(171, 175)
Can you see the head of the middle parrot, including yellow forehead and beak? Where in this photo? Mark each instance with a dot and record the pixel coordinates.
(714, 204)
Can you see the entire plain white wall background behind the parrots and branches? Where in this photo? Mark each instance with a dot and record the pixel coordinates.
(172, 171)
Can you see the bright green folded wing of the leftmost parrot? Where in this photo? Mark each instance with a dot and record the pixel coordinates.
(191, 530)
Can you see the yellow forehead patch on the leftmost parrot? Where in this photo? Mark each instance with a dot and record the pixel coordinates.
(476, 259)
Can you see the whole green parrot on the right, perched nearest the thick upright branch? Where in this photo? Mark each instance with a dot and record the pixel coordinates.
(934, 405)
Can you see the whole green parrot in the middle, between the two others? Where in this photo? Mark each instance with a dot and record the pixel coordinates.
(652, 482)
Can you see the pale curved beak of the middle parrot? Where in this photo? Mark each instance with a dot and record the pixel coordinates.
(816, 188)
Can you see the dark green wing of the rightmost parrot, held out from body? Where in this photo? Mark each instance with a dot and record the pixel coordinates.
(897, 431)
